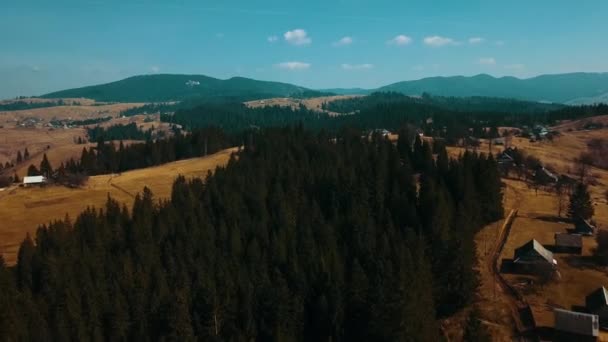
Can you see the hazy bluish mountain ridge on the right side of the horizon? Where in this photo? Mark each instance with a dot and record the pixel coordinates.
(578, 88)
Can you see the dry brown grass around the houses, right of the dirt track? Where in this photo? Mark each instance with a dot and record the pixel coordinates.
(579, 274)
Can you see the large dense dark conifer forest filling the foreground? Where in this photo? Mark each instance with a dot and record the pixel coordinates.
(298, 239)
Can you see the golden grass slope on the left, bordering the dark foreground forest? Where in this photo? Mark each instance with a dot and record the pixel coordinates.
(22, 210)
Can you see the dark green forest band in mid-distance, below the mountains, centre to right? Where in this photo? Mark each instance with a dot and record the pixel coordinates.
(453, 120)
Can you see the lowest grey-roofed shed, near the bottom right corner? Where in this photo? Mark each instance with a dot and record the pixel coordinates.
(575, 326)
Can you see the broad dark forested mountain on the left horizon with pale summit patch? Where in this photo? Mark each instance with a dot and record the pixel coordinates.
(162, 88)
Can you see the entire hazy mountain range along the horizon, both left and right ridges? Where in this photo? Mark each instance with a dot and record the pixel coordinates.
(571, 88)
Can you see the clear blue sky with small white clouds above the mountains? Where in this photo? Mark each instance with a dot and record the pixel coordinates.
(52, 45)
